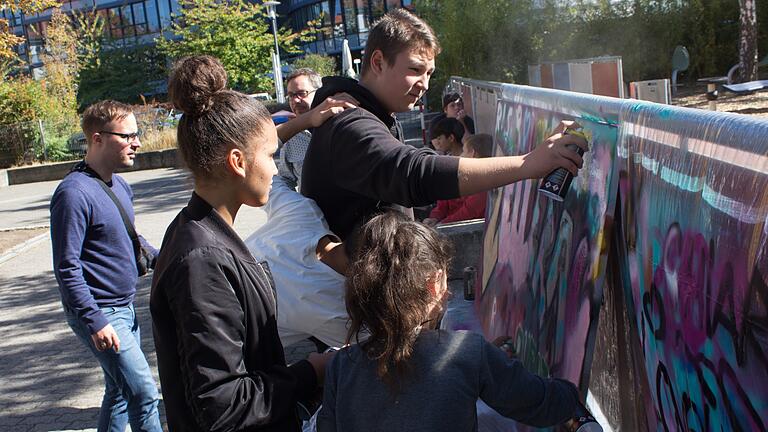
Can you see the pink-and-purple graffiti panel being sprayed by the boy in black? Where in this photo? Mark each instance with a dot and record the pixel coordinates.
(543, 261)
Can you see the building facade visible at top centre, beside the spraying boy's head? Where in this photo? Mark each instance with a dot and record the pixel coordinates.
(336, 20)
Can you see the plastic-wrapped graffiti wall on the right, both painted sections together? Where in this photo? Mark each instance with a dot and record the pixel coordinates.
(691, 253)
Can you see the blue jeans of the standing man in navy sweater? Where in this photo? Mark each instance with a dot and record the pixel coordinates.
(131, 394)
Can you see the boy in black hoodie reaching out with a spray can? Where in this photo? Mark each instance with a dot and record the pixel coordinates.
(356, 163)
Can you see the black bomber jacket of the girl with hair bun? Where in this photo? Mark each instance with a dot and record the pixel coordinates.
(213, 307)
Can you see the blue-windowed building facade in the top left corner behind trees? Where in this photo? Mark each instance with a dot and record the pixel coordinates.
(126, 23)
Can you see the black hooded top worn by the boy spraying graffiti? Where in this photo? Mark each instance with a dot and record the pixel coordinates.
(356, 165)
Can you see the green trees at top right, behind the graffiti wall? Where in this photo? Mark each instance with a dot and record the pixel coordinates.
(497, 39)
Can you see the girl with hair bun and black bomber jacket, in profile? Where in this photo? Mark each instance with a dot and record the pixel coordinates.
(221, 363)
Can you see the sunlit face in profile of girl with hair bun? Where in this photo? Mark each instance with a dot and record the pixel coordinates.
(261, 166)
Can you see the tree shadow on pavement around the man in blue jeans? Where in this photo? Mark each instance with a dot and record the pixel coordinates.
(50, 380)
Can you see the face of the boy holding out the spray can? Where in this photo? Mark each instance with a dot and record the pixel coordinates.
(403, 82)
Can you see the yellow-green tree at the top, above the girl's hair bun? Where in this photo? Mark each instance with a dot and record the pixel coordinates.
(237, 32)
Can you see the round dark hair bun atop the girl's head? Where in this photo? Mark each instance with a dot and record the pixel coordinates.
(193, 83)
